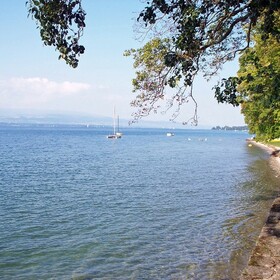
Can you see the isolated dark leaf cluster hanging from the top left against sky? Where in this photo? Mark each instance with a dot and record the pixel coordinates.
(61, 24)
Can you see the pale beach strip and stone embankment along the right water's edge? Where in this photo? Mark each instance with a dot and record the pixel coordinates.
(264, 261)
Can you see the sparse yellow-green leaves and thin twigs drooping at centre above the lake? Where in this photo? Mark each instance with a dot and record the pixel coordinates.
(154, 76)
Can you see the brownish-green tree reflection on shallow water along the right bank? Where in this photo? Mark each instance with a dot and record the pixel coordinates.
(251, 212)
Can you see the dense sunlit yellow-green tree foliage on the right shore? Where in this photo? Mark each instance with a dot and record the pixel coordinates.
(259, 85)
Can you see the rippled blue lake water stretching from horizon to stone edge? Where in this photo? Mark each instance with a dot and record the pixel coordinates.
(75, 205)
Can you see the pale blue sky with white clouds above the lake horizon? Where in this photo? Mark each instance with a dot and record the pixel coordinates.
(33, 80)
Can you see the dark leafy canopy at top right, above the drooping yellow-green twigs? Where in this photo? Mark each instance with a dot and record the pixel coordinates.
(196, 27)
